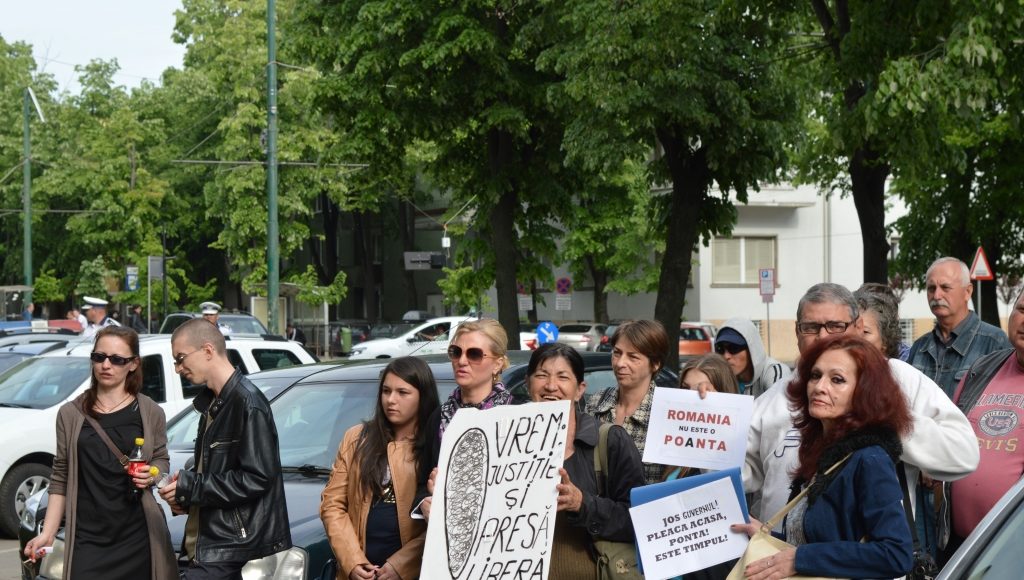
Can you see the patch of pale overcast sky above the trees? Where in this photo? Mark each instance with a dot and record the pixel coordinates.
(65, 33)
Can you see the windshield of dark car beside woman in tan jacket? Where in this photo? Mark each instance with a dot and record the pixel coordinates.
(313, 419)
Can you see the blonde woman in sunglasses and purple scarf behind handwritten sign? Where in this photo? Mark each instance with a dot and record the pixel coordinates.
(479, 356)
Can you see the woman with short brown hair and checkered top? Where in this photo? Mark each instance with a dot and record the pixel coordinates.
(638, 352)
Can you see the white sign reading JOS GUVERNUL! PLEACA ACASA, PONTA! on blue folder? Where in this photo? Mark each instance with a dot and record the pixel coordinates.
(690, 531)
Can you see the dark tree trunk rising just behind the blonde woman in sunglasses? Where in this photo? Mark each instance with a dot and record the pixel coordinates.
(502, 222)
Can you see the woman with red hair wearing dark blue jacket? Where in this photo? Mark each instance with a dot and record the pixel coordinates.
(851, 522)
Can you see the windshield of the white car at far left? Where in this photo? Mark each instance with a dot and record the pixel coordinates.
(42, 383)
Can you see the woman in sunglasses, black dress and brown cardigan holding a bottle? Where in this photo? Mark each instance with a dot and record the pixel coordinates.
(114, 528)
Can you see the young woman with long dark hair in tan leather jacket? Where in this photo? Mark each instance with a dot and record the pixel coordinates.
(366, 505)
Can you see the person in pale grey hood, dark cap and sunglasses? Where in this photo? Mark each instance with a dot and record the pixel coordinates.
(740, 343)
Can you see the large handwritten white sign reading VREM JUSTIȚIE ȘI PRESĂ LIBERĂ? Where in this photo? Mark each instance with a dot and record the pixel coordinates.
(495, 499)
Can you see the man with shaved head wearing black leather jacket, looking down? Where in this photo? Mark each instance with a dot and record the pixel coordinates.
(235, 494)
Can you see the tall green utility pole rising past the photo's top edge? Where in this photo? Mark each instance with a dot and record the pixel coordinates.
(273, 253)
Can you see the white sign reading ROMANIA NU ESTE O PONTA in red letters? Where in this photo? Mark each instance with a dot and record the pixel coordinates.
(709, 434)
